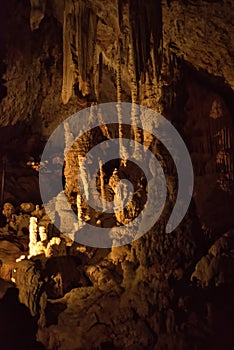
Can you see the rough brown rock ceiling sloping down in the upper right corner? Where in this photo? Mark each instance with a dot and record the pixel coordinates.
(202, 33)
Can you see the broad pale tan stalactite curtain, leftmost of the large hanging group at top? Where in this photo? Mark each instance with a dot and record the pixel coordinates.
(79, 58)
